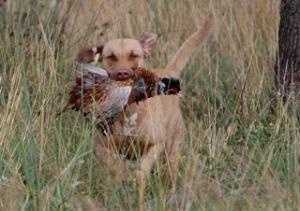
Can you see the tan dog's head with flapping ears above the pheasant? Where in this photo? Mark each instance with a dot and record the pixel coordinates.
(120, 56)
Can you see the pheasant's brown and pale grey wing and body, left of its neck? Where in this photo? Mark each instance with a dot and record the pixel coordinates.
(98, 96)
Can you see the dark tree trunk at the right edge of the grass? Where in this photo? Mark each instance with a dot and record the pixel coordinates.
(287, 67)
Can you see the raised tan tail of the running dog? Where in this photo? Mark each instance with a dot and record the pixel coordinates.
(178, 62)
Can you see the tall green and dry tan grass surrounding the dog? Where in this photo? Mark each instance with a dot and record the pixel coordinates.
(238, 155)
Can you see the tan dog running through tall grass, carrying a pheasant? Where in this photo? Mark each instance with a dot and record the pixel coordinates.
(155, 125)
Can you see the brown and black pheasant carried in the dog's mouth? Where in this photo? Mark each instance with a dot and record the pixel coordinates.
(102, 95)
